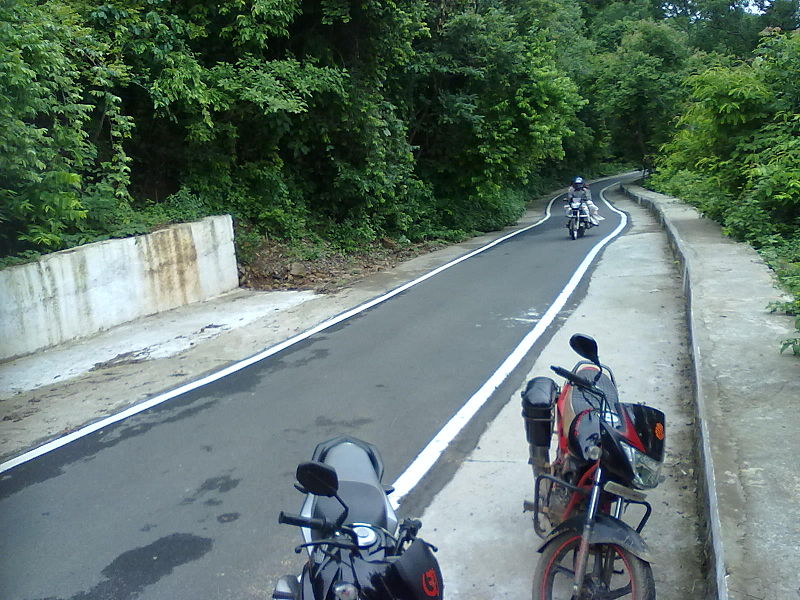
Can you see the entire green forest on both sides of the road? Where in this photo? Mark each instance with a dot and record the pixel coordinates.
(344, 121)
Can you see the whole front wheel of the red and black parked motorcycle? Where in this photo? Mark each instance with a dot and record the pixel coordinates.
(630, 576)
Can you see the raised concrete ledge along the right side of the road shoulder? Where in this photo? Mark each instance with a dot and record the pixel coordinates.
(744, 530)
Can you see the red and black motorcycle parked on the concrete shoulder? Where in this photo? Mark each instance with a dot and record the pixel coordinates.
(606, 452)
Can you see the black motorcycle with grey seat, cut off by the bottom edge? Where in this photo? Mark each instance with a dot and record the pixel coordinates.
(356, 550)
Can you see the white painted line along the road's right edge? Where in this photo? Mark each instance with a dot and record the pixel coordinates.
(431, 453)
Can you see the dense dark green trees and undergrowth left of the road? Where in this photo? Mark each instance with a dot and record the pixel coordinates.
(347, 121)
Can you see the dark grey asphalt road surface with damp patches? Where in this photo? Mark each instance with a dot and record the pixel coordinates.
(181, 501)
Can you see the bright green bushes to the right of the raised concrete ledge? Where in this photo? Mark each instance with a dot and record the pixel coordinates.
(736, 154)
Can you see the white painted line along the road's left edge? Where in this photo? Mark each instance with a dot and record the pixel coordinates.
(156, 400)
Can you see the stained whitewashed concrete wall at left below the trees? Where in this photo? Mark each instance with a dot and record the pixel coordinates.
(78, 292)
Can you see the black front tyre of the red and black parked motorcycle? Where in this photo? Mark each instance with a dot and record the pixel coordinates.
(641, 574)
